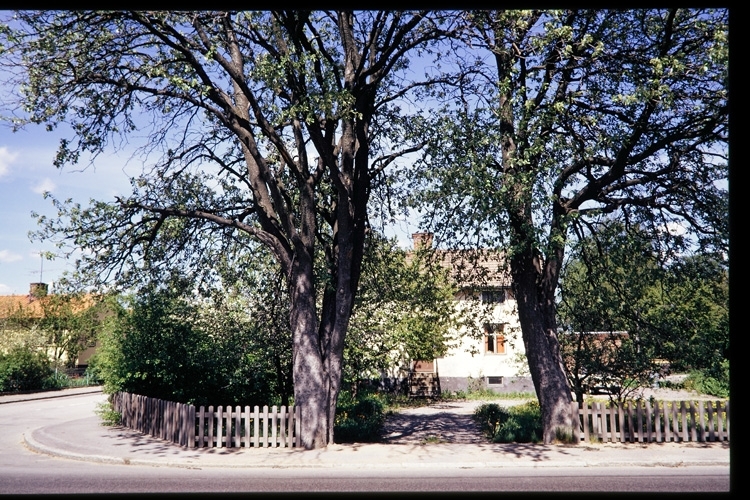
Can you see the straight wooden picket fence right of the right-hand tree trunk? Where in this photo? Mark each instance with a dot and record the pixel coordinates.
(642, 421)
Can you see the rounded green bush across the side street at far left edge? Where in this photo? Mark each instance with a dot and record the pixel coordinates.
(25, 370)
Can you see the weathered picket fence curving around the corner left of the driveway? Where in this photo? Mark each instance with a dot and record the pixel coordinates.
(221, 427)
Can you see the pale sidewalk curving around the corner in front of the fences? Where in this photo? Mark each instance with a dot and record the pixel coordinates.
(86, 439)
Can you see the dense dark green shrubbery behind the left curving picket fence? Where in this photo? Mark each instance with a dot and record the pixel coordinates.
(162, 347)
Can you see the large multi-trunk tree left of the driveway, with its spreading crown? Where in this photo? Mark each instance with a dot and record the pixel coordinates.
(270, 125)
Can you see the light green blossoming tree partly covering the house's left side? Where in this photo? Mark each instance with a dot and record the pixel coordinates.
(404, 311)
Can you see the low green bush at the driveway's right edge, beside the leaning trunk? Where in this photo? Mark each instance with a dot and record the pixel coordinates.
(517, 424)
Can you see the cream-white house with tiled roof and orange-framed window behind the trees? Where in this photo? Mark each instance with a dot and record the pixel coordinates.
(490, 351)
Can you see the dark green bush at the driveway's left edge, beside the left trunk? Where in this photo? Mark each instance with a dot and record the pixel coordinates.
(359, 420)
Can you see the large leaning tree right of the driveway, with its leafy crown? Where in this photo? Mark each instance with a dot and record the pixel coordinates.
(563, 118)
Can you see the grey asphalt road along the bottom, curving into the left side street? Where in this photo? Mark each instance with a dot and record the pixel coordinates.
(25, 472)
